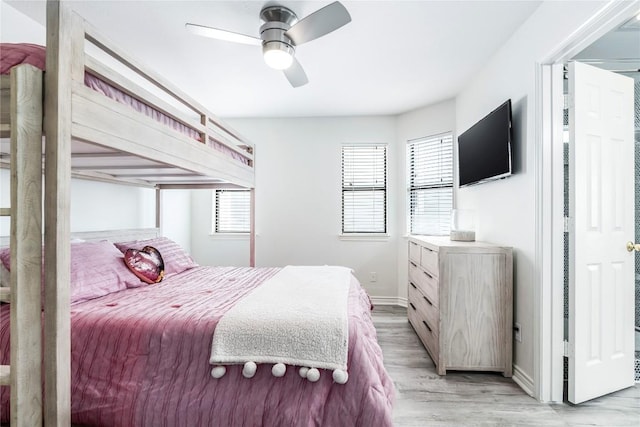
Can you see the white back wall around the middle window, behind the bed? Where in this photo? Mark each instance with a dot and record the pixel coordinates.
(298, 200)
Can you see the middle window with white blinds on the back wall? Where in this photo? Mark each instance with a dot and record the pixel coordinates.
(364, 189)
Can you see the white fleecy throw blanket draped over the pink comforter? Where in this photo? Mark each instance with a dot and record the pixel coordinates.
(297, 317)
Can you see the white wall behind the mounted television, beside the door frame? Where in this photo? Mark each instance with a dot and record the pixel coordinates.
(506, 209)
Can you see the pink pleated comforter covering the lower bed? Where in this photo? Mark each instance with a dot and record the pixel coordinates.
(140, 358)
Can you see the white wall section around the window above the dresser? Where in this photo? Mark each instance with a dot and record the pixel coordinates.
(427, 121)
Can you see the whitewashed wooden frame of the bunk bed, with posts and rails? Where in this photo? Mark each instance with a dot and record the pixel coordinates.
(88, 136)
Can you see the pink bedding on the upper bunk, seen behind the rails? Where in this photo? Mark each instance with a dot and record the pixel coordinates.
(12, 54)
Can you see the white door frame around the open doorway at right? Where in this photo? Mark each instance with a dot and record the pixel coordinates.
(549, 177)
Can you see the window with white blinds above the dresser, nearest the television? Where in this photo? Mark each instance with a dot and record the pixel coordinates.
(430, 164)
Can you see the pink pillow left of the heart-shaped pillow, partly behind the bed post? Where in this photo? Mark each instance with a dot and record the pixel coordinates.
(97, 269)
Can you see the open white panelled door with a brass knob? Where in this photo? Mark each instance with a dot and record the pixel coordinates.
(601, 203)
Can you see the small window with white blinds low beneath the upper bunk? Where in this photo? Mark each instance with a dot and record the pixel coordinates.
(232, 211)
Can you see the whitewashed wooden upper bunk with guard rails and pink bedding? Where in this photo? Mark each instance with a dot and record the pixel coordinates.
(127, 123)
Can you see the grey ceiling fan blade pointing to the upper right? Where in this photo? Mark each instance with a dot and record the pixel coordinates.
(321, 22)
